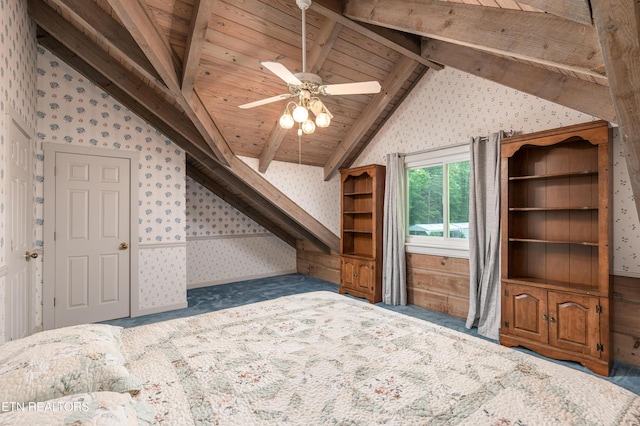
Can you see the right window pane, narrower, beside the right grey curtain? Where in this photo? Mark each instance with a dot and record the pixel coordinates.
(458, 199)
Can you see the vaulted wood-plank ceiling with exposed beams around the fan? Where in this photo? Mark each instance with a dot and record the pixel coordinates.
(186, 65)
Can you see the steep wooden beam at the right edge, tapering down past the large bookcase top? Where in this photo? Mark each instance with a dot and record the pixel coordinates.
(618, 25)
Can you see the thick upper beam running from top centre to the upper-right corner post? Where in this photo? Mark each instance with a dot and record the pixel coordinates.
(536, 37)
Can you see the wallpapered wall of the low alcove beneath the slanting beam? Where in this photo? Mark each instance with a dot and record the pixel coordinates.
(224, 245)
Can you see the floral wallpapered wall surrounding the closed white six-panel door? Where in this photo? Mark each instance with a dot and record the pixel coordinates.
(72, 110)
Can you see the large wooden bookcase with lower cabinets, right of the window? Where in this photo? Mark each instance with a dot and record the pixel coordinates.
(555, 244)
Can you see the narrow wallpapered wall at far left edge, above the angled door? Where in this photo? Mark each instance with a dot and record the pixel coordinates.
(17, 94)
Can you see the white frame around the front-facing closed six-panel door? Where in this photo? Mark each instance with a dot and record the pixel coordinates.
(48, 291)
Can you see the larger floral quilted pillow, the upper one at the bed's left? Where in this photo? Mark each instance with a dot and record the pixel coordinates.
(70, 360)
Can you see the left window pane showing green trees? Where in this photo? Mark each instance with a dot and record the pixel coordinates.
(425, 201)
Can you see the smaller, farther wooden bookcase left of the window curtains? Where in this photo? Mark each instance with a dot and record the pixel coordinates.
(361, 232)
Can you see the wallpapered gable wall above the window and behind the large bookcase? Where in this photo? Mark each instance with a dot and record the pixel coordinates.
(449, 107)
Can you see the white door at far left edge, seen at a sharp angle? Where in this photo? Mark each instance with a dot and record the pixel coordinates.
(19, 311)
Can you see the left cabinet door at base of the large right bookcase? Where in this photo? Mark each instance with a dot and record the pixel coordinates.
(525, 312)
